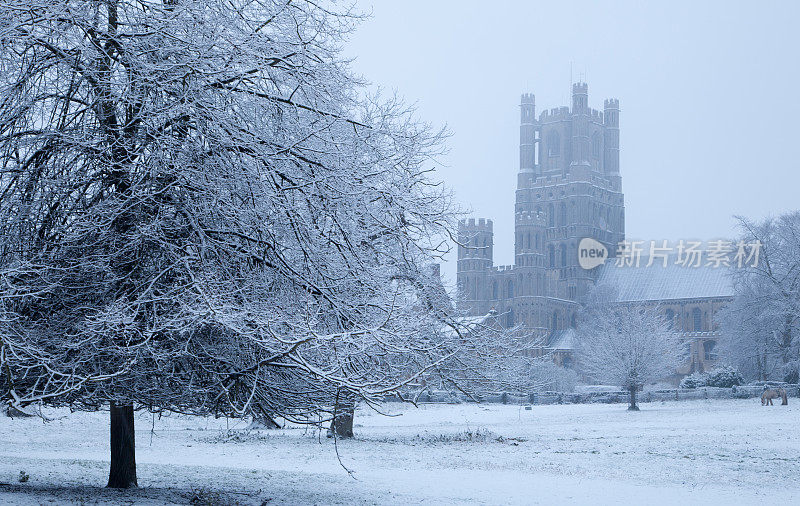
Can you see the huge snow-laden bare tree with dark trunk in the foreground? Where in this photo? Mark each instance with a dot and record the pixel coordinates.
(201, 212)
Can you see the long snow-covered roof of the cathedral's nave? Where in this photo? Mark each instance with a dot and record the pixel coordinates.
(665, 283)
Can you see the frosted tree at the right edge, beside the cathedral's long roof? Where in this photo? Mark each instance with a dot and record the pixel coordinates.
(761, 325)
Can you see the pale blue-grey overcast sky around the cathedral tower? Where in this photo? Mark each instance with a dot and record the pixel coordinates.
(709, 122)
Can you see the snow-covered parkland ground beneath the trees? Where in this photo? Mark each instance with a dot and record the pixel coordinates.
(707, 452)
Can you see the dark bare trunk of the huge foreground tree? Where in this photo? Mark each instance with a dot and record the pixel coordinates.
(123, 448)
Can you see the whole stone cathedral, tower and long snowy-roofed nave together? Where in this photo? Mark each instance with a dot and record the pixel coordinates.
(569, 188)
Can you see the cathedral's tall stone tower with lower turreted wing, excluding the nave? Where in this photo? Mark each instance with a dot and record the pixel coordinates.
(568, 187)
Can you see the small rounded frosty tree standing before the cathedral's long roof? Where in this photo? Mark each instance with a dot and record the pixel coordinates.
(626, 344)
